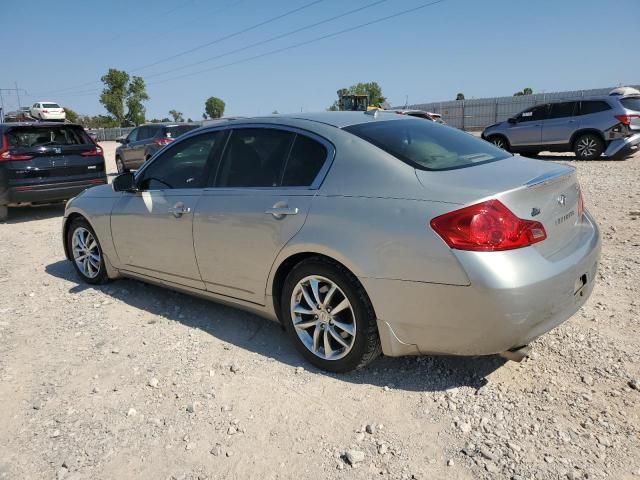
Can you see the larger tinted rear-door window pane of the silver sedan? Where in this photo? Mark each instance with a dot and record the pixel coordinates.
(254, 157)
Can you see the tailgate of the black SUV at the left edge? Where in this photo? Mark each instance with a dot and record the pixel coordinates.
(41, 154)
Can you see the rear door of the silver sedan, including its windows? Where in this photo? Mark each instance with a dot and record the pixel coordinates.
(258, 201)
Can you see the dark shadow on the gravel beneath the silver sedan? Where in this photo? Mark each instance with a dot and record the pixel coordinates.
(253, 333)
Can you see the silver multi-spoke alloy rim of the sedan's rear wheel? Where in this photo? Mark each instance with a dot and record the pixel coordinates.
(323, 318)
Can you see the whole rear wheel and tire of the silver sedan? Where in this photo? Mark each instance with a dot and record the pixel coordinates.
(351, 333)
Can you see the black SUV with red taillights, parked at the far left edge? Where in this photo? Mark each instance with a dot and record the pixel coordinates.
(46, 162)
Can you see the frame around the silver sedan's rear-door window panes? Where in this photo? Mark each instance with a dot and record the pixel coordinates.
(315, 185)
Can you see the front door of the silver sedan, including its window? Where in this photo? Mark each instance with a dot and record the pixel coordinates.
(152, 228)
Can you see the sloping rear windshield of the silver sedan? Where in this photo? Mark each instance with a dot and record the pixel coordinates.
(428, 145)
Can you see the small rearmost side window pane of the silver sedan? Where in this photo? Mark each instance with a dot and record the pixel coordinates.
(305, 161)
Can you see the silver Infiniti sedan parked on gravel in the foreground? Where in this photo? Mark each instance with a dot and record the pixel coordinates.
(360, 233)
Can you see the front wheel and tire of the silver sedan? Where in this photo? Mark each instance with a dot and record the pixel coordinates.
(93, 269)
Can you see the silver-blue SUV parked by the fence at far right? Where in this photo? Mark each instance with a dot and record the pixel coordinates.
(588, 127)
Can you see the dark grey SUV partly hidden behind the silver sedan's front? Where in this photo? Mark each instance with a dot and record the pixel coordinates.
(144, 141)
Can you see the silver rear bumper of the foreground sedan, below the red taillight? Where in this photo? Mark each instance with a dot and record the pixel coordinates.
(514, 297)
